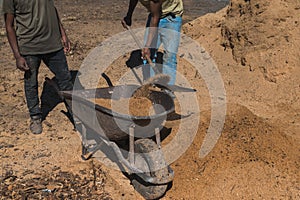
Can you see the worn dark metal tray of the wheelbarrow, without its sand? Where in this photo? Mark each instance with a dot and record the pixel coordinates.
(113, 125)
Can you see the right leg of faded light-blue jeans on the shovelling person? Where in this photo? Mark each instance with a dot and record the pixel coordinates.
(170, 36)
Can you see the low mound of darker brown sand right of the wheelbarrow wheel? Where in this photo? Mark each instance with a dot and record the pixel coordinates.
(252, 160)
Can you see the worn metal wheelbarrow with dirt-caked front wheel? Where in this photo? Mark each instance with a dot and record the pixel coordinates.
(145, 160)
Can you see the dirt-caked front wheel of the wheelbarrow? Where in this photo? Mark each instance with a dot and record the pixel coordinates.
(149, 158)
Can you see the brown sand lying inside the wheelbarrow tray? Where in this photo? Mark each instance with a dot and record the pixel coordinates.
(134, 106)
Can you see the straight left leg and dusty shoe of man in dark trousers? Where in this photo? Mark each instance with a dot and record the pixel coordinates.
(31, 93)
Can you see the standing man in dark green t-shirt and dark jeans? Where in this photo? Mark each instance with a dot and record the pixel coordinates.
(36, 34)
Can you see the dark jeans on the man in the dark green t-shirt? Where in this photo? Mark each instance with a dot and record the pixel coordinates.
(57, 63)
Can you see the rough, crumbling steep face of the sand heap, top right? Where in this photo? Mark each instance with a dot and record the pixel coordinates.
(264, 35)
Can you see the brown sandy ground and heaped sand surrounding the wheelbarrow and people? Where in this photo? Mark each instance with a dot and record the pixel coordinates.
(255, 45)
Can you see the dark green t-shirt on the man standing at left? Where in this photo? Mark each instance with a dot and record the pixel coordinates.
(37, 25)
